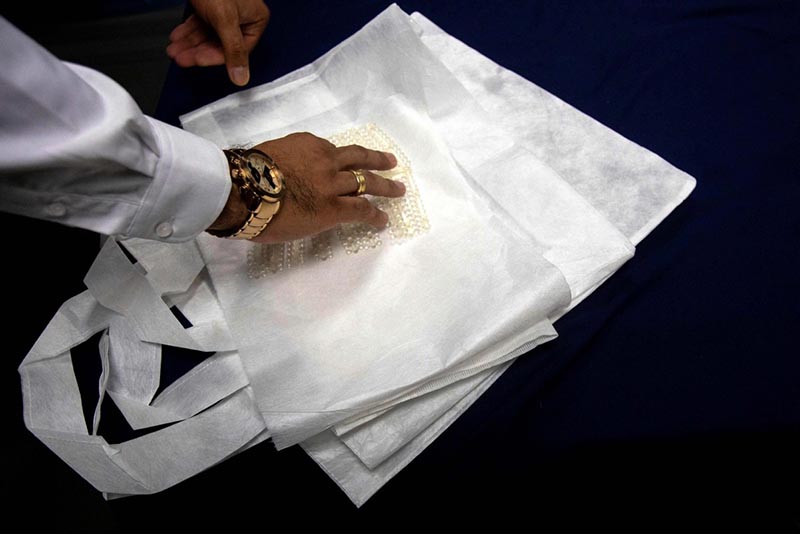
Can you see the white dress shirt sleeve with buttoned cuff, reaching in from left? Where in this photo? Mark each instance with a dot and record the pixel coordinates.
(75, 148)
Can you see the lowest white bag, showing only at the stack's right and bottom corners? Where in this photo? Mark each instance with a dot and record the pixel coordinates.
(632, 187)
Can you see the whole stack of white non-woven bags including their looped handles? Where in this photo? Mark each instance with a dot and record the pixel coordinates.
(362, 347)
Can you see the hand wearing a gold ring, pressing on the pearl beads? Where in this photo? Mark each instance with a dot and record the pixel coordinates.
(319, 188)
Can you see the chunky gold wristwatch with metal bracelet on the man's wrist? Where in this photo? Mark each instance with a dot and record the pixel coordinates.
(260, 185)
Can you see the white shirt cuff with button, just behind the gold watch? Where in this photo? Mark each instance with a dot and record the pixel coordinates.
(190, 187)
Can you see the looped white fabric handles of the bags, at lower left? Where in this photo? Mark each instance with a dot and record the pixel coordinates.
(212, 405)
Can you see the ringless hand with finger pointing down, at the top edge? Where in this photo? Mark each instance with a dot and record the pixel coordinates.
(220, 32)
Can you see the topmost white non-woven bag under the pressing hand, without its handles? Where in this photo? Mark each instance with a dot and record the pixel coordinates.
(326, 342)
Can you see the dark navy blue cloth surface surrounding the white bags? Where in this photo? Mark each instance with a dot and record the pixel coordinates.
(673, 393)
